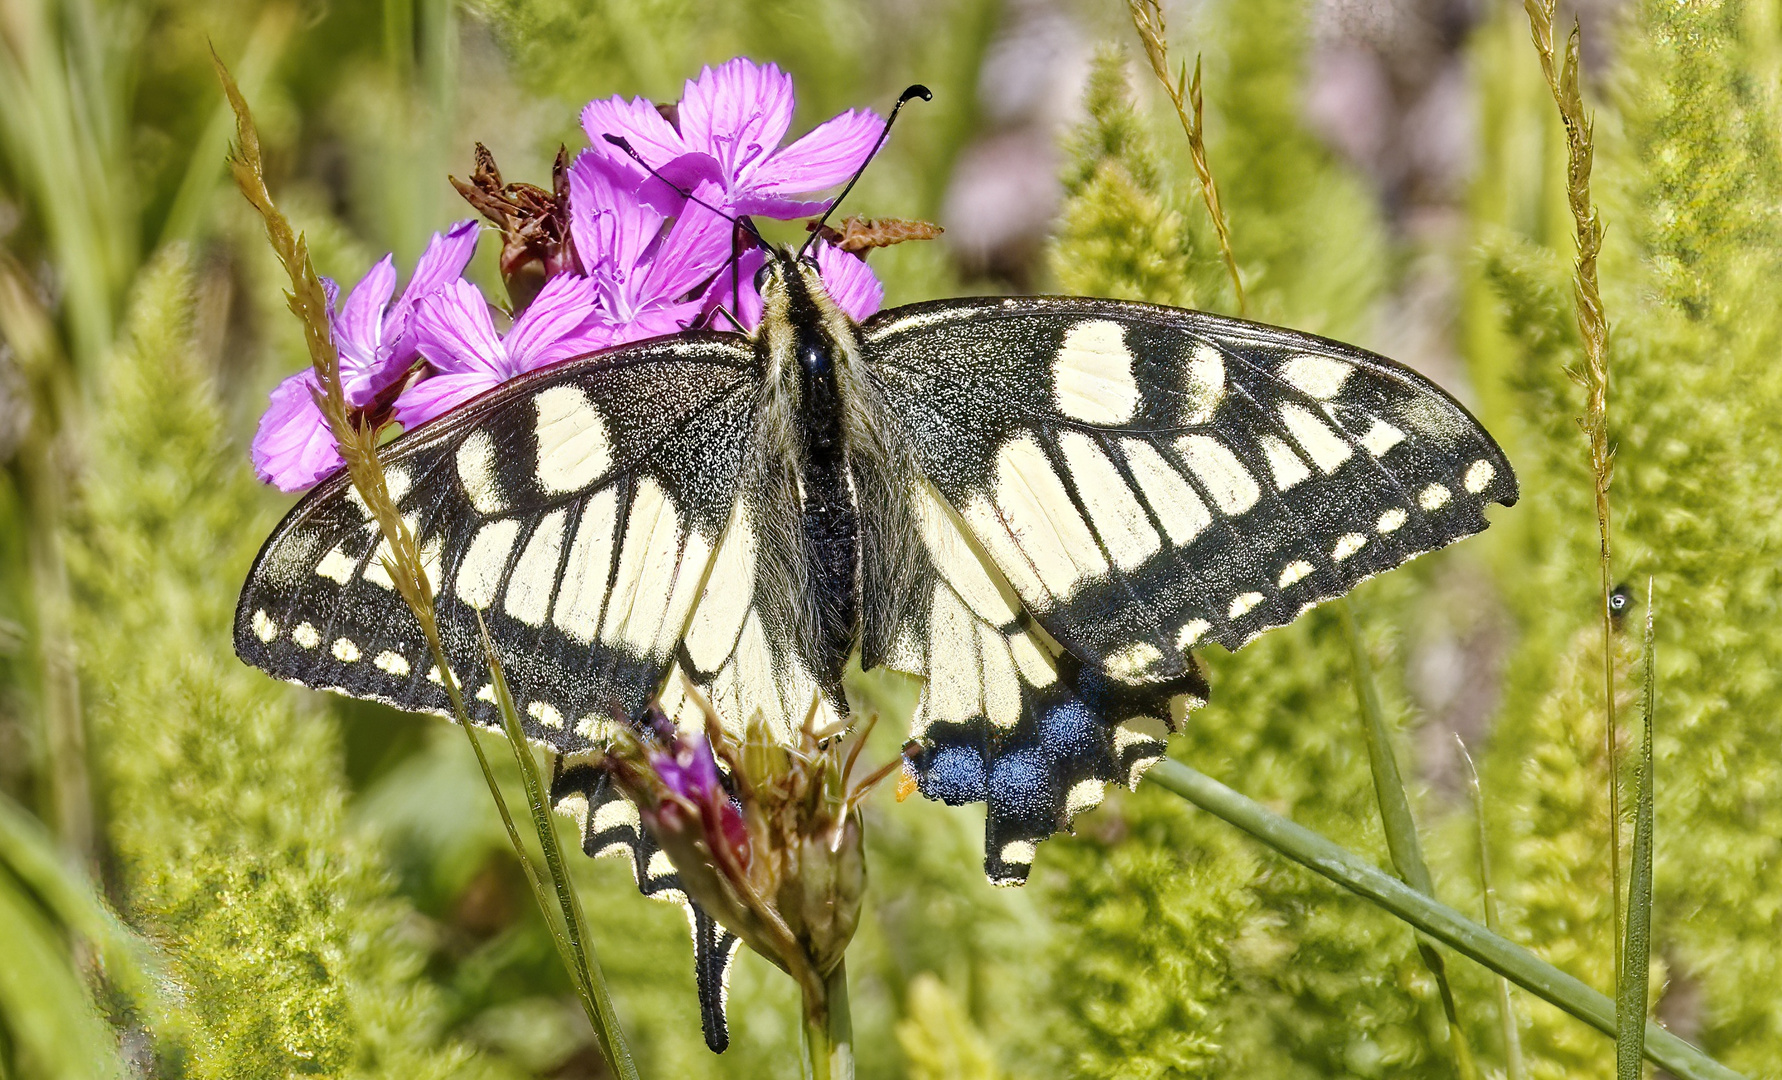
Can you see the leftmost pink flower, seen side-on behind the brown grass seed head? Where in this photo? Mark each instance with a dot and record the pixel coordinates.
(293, 448)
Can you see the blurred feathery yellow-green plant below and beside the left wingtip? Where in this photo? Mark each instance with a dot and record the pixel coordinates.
(224, 798)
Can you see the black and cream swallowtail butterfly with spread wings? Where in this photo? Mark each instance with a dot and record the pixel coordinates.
(1042, 507)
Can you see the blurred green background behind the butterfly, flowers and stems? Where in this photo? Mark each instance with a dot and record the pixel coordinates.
(208, 874)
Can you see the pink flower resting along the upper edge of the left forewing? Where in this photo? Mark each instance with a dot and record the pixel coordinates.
(459, 340)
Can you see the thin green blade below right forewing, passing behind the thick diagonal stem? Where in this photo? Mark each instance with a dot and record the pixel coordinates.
(1402, 828)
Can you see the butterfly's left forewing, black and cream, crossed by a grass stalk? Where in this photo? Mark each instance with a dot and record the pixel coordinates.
(576, 511)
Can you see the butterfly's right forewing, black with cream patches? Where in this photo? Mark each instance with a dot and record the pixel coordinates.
(1152, 480)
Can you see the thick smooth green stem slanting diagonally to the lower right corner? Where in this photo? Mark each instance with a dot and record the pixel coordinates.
(1439, 920)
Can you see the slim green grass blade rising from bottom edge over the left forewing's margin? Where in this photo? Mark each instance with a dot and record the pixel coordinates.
(585, 967)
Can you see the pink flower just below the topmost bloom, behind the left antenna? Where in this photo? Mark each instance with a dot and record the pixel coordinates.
(646, 279)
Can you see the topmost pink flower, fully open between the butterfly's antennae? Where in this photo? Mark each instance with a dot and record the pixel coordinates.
(730, 127)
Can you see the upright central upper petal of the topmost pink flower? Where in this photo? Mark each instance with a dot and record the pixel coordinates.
(737, 113)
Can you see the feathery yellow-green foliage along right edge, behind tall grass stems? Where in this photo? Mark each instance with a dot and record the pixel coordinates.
(1692, 179)
